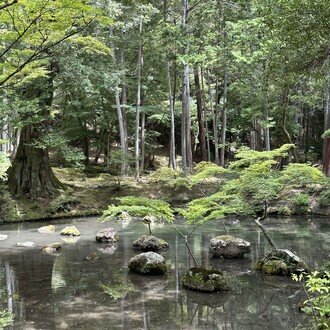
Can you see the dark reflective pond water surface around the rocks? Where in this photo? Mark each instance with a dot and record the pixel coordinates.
(70, 292)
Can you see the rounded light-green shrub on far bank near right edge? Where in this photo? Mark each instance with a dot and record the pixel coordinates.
(301, 175)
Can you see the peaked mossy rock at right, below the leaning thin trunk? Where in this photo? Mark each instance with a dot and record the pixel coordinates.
(281, 262)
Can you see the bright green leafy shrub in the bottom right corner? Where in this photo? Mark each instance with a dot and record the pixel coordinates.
(318, 302)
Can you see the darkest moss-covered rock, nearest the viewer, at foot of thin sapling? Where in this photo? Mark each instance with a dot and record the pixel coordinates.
(205, 280)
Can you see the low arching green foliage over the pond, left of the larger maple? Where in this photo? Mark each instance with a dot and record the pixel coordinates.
(140, 207)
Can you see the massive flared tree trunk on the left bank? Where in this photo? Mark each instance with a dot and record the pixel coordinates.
(30, 174)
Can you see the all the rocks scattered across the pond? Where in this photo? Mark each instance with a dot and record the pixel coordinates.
(151, 262)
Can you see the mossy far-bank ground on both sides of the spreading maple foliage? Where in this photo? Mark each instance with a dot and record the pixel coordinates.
(90, 194)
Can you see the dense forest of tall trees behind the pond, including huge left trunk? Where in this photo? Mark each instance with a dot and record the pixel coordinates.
(114, 83)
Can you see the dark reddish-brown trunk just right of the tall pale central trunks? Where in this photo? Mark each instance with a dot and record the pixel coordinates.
(200, 114)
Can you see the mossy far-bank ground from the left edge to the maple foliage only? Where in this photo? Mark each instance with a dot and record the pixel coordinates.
(86, 195)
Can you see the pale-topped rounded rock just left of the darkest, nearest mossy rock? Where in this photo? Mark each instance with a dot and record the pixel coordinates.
(148, 263)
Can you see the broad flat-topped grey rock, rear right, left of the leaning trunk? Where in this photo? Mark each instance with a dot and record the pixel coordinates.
(227, 246)
